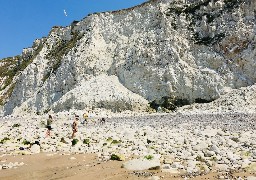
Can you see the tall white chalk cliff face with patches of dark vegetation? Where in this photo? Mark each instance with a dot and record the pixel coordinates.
(190, 50)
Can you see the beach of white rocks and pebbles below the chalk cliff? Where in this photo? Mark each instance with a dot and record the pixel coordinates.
(183, 145)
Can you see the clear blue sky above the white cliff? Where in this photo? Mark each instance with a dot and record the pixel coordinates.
(22, 21)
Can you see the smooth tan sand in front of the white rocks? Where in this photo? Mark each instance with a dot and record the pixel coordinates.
(86, 166)
